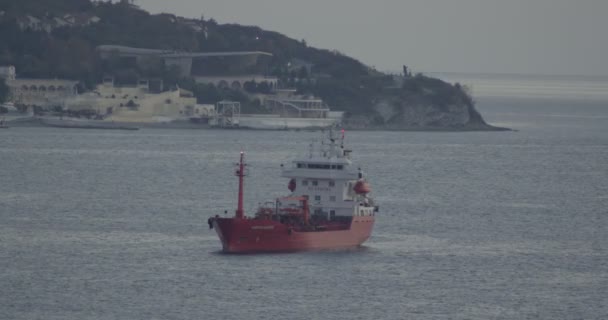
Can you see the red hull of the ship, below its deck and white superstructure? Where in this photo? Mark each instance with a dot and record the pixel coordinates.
(253, 236)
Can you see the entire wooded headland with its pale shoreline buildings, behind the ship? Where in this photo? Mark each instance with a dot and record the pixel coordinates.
(116, 62)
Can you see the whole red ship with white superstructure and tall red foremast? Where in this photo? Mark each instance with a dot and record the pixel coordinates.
(329, 207)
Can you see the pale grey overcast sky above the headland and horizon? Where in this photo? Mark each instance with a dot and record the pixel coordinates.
(553, 37)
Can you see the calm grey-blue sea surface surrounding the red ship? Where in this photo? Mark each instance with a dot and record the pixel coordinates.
(103, 224)
